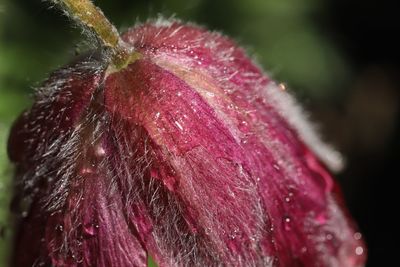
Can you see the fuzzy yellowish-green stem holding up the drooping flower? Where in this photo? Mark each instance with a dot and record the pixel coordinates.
(91, 17)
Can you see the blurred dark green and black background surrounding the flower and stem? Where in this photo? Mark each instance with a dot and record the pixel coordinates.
(339, 57)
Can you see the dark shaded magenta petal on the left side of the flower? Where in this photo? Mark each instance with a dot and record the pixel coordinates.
(77, 215)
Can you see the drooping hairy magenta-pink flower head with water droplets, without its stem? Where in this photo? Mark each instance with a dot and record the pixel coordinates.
(190, 154)
